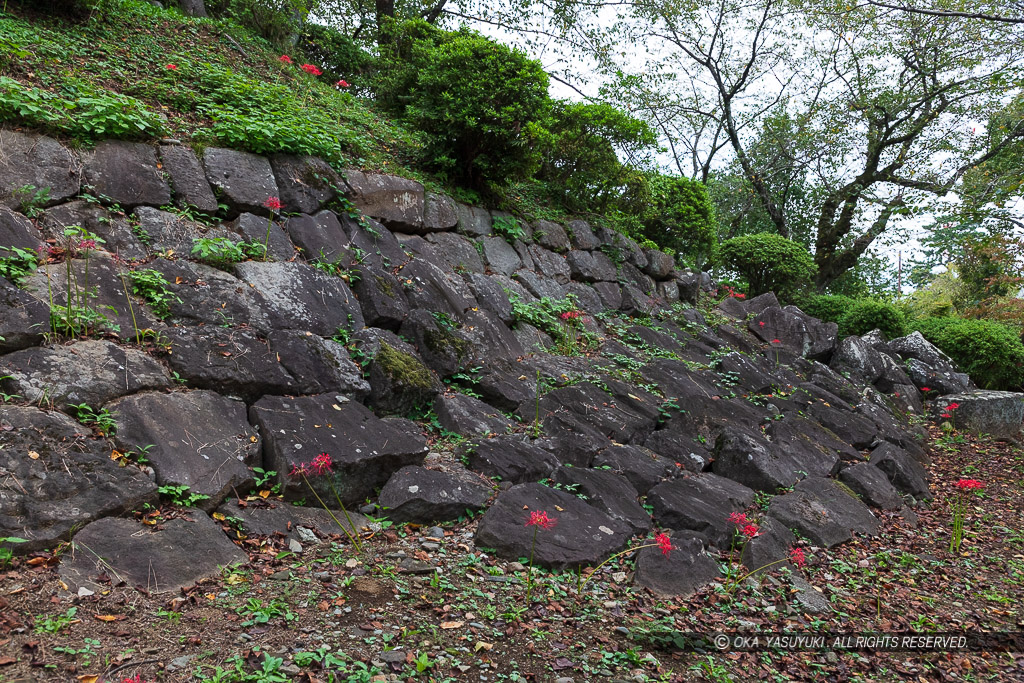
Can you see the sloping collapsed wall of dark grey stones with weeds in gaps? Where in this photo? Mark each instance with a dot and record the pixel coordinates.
(656, 411)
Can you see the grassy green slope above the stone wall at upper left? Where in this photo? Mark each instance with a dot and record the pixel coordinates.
(109, 77)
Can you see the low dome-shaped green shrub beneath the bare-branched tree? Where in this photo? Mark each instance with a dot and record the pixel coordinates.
(770, 264)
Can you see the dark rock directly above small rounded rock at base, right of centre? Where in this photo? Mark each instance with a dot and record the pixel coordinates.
(701, 503)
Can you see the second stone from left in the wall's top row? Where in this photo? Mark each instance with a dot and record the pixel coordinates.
(127, 174)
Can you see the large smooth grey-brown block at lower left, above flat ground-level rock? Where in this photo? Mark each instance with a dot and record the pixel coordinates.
(198, 440)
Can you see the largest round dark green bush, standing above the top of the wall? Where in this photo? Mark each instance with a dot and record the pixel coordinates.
(484, 106)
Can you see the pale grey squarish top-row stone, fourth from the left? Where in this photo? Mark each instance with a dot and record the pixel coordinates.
(245, 181)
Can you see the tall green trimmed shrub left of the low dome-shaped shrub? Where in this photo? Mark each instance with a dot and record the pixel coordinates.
(680, 218)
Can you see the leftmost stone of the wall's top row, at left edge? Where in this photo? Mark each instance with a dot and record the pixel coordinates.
(39, 163)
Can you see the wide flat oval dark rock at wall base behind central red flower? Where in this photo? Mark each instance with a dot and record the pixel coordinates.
(583, 536)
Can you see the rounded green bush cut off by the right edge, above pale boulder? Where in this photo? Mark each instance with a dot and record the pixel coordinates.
(992, 354)
